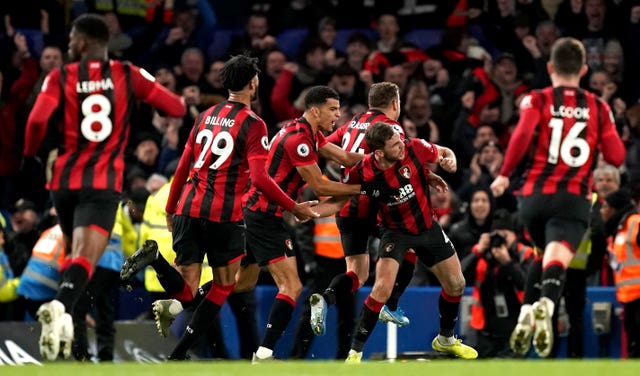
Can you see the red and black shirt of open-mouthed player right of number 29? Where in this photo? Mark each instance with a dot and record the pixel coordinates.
(294, 145)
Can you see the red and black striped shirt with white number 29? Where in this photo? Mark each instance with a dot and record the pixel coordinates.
(222, 142)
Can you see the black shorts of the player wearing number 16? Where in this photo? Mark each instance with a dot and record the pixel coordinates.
(558, 217)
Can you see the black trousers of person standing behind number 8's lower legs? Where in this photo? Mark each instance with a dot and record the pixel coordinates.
(101, 295)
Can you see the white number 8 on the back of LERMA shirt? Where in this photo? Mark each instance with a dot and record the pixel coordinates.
(96, 125)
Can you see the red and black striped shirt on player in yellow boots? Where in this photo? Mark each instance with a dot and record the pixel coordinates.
(411, 213)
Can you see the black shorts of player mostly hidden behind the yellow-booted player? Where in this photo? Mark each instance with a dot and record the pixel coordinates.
(355, 234)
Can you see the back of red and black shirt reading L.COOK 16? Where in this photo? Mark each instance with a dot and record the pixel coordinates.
(572, 122)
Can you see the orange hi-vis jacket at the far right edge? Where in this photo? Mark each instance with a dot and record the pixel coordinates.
(626, 260)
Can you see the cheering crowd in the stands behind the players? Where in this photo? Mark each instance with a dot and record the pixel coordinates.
(462, 68)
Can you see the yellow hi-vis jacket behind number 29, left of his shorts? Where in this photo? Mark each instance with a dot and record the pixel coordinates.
(154, 226)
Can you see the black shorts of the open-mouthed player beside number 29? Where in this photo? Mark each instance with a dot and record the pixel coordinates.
(268, 240)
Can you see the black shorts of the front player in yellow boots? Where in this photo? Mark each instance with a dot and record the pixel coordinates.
(431, 246)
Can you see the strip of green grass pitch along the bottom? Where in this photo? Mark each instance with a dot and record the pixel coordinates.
(367, 368)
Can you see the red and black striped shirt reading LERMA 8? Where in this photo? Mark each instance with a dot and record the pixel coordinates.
(97, 99)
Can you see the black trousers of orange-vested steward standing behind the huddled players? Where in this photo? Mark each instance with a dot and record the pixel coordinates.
(317, 283)
